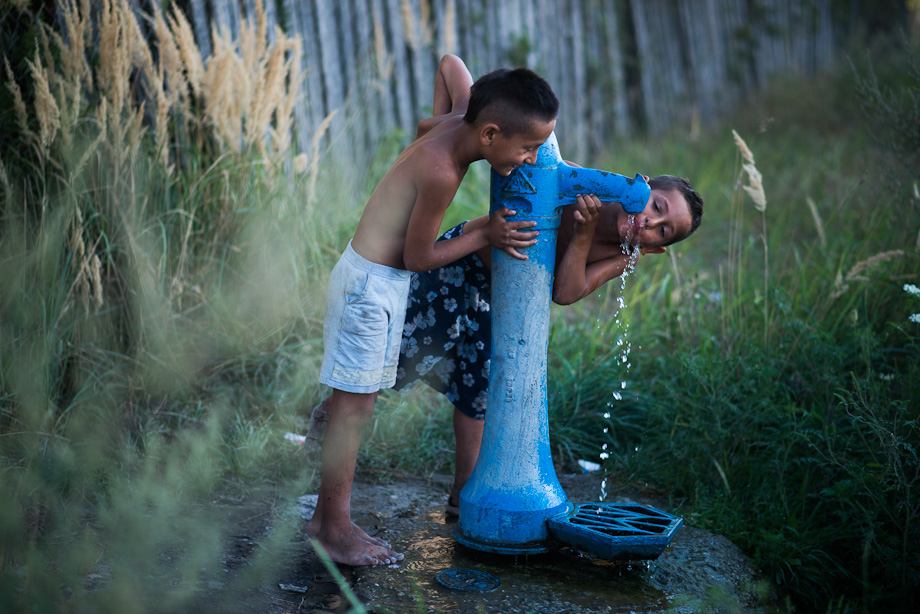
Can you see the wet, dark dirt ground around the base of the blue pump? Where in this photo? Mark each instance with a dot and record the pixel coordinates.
(698, 570)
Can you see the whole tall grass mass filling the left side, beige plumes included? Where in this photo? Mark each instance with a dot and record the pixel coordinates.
(160, 294)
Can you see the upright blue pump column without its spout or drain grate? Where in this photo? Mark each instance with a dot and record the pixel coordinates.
(514, 490)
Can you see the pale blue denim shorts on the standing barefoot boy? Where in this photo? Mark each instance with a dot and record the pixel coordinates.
(362, 326)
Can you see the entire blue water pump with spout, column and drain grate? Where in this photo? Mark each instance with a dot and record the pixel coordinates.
(513, 502)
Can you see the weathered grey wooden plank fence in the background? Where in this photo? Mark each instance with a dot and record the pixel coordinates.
(618, 66)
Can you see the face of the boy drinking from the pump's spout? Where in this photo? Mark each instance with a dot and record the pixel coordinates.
(666, 219)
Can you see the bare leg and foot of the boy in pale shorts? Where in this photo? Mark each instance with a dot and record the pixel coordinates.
(331, 524)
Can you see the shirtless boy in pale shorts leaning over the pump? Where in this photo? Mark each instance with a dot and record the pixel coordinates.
(503, 118)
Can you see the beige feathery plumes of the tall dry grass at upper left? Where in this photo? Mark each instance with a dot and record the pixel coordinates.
(141, 93)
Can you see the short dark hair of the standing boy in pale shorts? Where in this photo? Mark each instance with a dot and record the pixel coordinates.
(511, 98)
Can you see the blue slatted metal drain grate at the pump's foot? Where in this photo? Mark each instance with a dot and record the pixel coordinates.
(615, 530)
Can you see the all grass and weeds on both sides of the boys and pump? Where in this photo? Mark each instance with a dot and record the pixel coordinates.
(164, 256)
